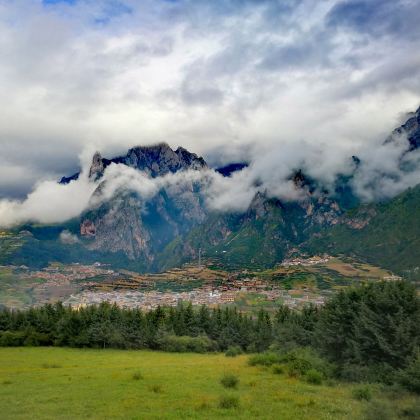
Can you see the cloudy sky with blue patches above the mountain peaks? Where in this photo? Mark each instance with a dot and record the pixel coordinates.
(271, 81)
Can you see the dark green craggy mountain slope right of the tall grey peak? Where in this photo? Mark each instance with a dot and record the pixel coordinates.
(267, 232)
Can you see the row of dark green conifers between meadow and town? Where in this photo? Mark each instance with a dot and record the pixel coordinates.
(365, 331)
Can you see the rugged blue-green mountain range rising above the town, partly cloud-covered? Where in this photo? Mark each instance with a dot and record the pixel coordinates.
(166, 228)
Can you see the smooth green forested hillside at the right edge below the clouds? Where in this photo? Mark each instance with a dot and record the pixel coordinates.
(386, 234)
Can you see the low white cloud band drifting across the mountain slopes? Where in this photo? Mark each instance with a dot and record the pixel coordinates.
(384, 170)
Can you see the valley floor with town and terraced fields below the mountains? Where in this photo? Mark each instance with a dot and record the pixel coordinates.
(294, 283)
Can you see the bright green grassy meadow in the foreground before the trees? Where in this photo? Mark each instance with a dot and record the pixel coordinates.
(54, 383)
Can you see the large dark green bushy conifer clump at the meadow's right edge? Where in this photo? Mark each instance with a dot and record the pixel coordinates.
(348, 330)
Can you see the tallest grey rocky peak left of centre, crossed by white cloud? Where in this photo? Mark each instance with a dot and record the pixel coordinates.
(137, 227)
